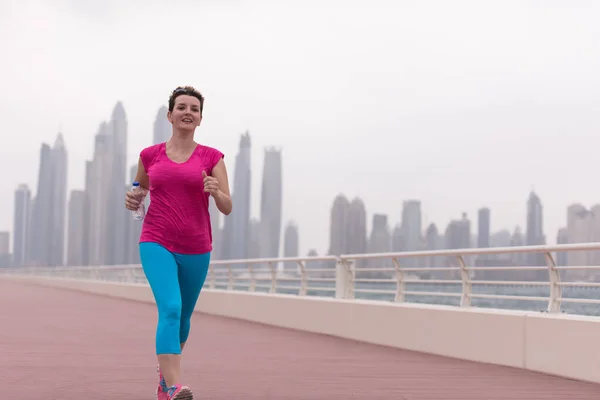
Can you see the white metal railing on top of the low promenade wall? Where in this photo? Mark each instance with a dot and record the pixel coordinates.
(384, 276)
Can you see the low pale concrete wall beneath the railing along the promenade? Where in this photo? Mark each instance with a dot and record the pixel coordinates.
(560, 345)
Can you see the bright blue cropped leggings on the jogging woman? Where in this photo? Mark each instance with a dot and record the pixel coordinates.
(176, 281)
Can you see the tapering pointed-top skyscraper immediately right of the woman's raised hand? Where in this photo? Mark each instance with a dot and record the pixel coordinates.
(237, 224)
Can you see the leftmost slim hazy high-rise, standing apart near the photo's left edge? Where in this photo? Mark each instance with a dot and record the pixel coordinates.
(21, 225)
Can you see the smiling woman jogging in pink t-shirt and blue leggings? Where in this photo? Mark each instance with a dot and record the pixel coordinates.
(176, 238)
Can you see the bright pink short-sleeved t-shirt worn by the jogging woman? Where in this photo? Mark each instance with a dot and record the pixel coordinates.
(178, 216)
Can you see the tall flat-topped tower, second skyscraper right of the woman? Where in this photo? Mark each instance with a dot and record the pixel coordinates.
(271, 204)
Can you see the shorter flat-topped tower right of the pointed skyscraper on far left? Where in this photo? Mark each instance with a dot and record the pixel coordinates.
(76, 229)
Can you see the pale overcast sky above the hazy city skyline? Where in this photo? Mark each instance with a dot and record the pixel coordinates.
(461, 104)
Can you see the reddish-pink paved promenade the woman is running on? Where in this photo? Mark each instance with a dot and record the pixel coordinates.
(59, 344)
